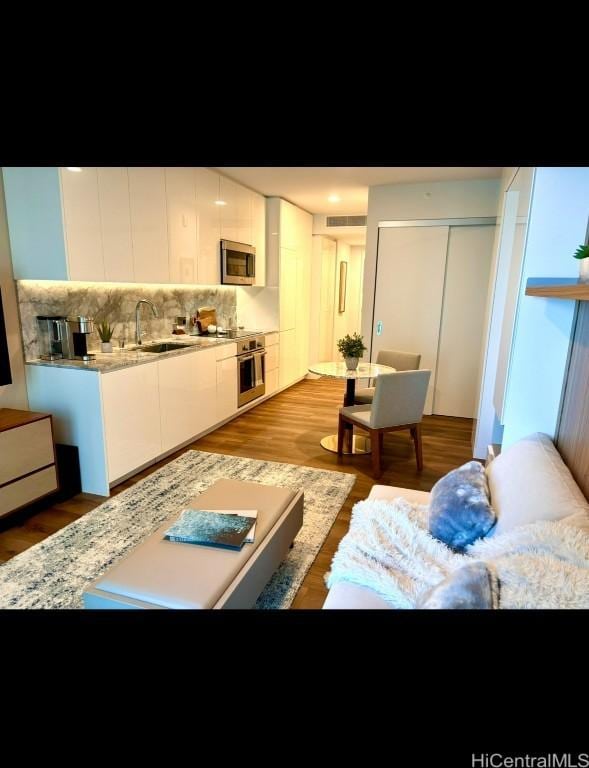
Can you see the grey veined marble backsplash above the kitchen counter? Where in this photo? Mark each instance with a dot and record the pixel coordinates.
(115, 303)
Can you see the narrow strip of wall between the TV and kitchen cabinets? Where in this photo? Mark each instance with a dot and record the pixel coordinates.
(12, 395)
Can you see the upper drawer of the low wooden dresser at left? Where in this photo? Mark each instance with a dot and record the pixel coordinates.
(24, 449)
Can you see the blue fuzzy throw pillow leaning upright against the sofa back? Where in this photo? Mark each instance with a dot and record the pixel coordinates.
(460, 511)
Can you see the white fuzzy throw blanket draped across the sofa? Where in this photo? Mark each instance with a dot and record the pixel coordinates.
(390, 550)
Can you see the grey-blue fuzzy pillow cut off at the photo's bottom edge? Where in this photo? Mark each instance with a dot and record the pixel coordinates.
(472, 586)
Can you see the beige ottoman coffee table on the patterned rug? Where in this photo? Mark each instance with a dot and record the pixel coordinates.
(164, 574)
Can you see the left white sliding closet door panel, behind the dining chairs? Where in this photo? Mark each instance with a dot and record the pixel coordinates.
(408, 297)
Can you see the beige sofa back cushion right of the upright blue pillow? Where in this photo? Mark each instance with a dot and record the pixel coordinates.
(529, 481)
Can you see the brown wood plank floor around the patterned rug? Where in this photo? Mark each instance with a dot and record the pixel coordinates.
(288, 428)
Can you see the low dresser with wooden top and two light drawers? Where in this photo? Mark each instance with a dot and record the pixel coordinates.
(27, 458)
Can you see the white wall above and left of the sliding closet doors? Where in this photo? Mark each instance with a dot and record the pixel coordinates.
(438, 200)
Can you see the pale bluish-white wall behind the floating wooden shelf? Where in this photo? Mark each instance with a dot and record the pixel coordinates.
(557, 225)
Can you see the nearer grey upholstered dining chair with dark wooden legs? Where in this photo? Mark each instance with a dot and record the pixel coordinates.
(399, 399)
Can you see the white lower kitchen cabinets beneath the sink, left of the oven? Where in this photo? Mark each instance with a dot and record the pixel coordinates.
(125, 419)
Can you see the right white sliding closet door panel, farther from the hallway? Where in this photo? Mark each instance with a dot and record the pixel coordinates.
(470, 250)
